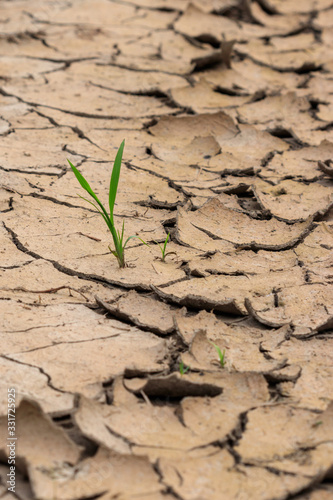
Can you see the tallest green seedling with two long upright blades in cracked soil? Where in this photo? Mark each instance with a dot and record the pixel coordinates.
(117, 236)
